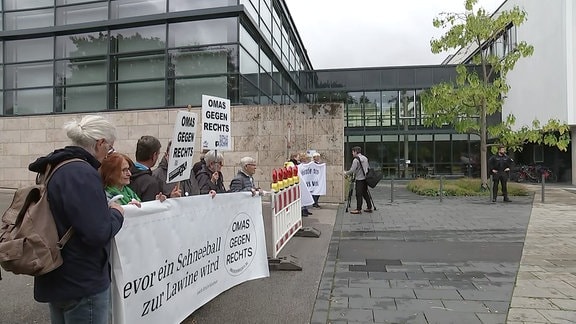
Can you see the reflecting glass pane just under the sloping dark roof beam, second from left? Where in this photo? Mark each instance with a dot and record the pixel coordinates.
(81, 45)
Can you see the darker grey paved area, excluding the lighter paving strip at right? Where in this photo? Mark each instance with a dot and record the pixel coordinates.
(448, 261)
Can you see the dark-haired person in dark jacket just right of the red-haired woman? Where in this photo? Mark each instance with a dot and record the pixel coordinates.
(146, 186)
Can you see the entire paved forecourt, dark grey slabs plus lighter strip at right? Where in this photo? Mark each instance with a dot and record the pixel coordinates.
(421, 260)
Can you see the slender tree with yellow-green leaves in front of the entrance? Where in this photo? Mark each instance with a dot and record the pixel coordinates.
(480, 87)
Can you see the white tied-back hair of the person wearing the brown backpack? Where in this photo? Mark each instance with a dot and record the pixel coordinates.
(89, 130)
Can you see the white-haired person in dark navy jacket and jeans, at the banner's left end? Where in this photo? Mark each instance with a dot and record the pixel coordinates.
(79, 290)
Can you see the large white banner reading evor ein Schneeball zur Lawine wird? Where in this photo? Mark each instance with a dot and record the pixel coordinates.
(171, 258)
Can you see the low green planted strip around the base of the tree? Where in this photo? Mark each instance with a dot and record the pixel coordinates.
(459, 187)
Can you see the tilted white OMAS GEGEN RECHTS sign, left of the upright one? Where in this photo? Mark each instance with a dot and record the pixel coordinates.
(182, 149)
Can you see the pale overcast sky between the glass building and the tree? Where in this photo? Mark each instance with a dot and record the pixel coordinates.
(370, 33)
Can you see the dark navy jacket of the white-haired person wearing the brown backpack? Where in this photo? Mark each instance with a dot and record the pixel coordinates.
(77, 199)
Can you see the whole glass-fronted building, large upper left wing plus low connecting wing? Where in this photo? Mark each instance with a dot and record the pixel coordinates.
(72, 56)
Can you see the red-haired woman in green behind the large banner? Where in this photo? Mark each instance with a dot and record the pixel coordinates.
(115, 173)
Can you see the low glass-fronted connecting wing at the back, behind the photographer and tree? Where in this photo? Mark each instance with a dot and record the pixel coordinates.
(384, 116)
